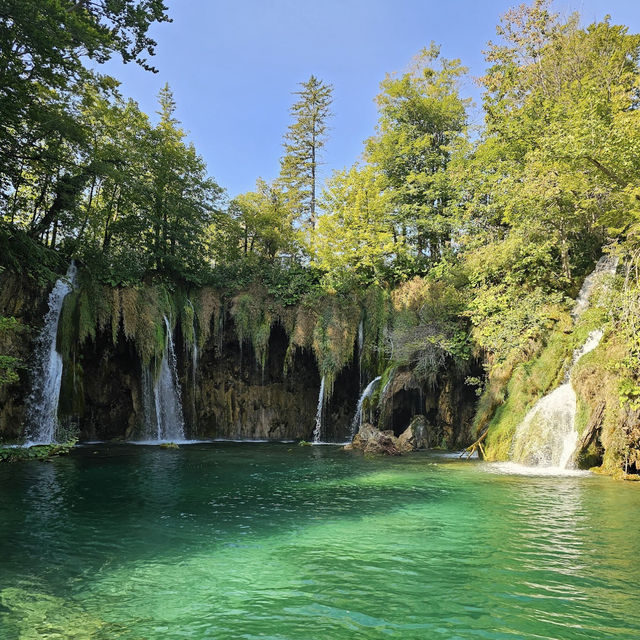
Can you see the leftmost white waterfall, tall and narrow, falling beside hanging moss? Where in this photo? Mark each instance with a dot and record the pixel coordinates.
(42, 402)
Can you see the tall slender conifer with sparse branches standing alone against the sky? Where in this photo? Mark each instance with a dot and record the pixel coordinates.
(303, 144)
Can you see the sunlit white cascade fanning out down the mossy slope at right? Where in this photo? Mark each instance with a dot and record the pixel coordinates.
(547, 436)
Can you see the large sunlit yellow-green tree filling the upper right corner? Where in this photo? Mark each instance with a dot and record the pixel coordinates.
(562, 115)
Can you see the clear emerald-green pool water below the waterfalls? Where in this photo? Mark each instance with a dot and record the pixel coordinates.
(278, 541)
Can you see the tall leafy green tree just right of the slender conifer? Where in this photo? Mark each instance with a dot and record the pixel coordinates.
(422, 119)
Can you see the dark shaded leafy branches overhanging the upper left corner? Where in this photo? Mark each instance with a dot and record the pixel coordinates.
(43, 46)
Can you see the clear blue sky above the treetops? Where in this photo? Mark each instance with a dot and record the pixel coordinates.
(232, 65)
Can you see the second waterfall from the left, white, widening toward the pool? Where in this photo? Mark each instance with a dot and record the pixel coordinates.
(161, 402)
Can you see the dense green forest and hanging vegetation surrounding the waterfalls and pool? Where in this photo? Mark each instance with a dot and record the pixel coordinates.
(455, 249)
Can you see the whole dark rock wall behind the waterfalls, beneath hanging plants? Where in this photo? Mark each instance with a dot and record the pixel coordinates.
(231, 395)
